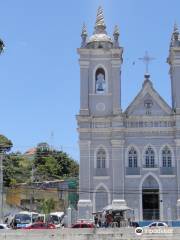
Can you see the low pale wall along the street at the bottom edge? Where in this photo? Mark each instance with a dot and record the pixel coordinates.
(86, 234)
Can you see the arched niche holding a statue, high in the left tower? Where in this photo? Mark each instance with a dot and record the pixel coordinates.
(100, 85)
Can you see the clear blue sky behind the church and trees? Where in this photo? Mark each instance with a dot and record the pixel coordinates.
(39, 72)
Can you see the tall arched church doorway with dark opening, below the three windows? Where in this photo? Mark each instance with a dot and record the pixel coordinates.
(150, 199)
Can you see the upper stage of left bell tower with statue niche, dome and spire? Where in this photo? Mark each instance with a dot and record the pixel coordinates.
(100, 67)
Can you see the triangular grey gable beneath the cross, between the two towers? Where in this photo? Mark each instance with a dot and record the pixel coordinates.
(148, 93)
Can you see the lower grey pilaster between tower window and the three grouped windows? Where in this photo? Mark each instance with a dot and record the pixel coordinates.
(118, 169)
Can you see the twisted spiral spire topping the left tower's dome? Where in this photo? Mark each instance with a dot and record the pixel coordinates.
(100, 24)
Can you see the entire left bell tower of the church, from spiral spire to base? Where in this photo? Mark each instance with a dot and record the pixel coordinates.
(100, 108)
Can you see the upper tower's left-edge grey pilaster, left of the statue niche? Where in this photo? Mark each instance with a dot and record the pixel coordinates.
(84, 87)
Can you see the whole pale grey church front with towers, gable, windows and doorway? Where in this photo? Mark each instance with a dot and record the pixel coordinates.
(132, 156)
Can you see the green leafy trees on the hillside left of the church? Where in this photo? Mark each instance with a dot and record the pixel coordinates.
(47, 165)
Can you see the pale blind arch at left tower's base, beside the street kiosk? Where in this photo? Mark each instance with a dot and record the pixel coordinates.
(101, 199)
